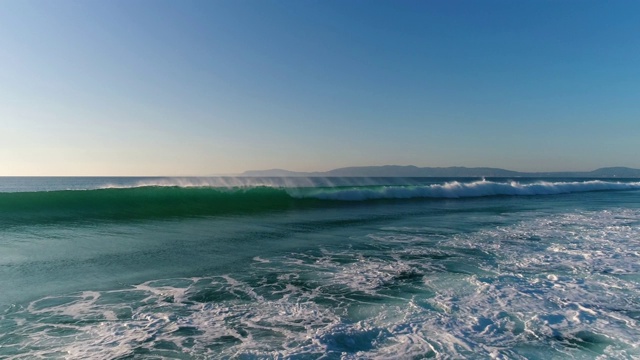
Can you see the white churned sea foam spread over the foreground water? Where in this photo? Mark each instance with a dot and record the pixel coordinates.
(563, 285)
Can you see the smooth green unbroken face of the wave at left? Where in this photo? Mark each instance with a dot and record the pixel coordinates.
(139, 203)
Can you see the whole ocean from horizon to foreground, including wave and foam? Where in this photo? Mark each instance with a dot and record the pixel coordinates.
(319, 268)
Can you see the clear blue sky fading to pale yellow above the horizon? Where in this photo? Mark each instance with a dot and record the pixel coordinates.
(197, 88)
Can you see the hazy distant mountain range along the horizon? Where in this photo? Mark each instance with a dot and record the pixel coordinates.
(454, 171)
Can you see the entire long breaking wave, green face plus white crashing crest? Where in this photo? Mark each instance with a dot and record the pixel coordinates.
(167, 199)
